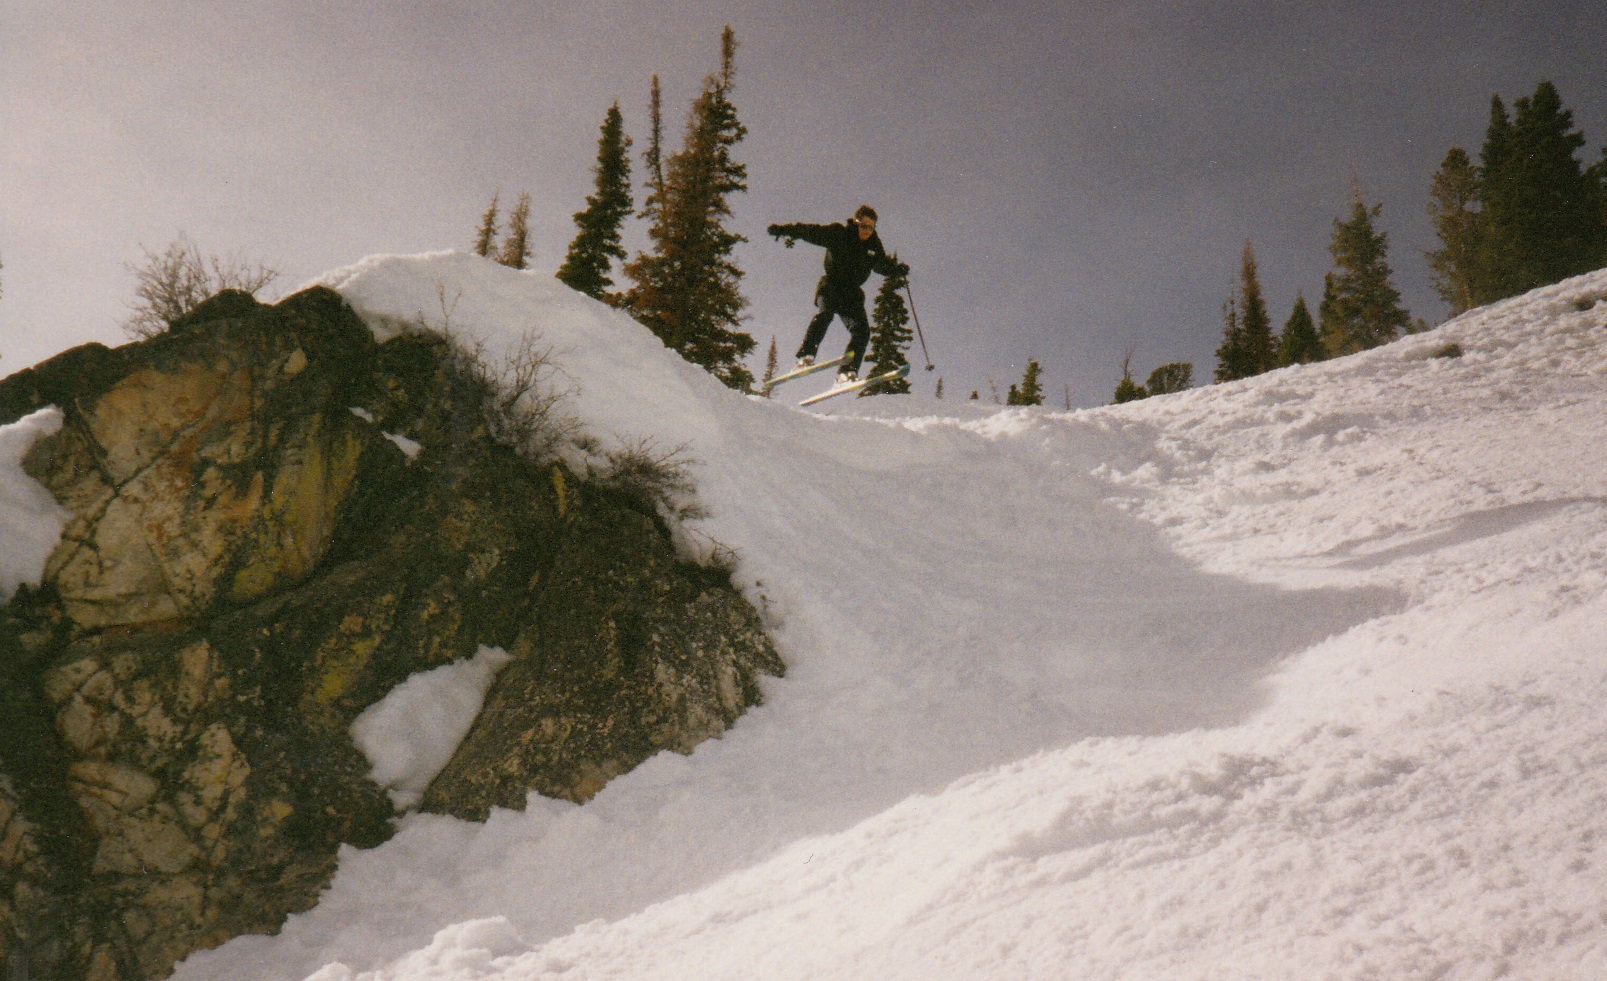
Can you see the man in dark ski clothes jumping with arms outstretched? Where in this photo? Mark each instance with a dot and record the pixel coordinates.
(854, 252)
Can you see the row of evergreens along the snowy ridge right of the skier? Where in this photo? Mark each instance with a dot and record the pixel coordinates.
(1529, 213)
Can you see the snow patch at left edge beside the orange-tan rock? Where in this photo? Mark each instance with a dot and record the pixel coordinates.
(31, 522)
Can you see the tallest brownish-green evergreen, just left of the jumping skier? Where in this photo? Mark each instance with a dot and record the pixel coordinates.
(687, 289)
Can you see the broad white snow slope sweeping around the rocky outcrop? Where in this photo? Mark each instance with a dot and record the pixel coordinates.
(1294, 678)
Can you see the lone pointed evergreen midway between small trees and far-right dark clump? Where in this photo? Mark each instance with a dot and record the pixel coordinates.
(1360, 306)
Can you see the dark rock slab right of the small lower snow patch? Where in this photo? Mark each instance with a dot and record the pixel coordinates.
(640, 654)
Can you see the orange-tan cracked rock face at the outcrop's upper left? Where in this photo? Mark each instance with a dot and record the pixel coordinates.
(213, 466)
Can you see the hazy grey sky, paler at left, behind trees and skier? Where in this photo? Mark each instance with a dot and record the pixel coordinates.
(1068, 181)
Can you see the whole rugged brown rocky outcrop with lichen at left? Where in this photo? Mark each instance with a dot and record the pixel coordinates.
(248, 567)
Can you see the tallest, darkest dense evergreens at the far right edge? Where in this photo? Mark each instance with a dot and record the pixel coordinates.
(1544, 210)
